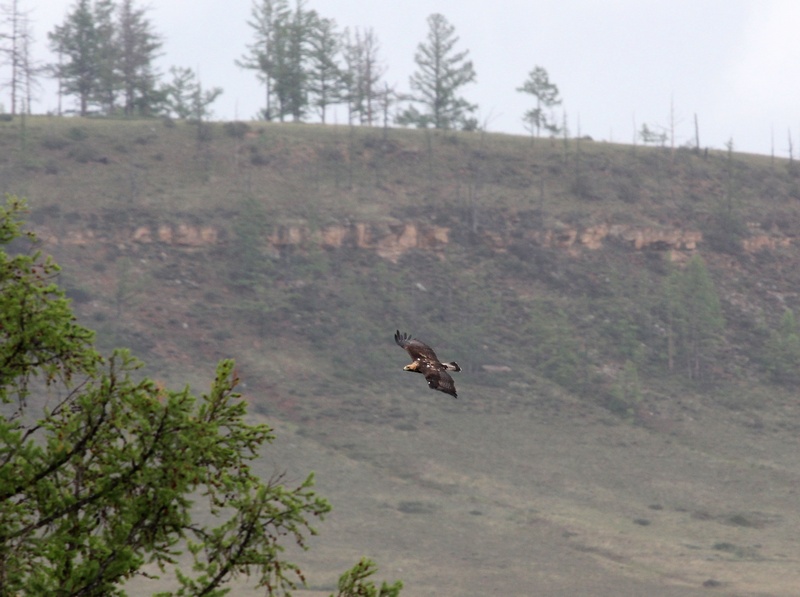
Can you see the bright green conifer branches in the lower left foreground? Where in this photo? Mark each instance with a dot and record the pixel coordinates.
(102, 474)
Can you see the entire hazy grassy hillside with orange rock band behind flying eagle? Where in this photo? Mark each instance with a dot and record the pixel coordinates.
(599, 387)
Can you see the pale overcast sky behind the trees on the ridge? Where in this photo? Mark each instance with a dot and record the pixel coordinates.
(618, 63)
